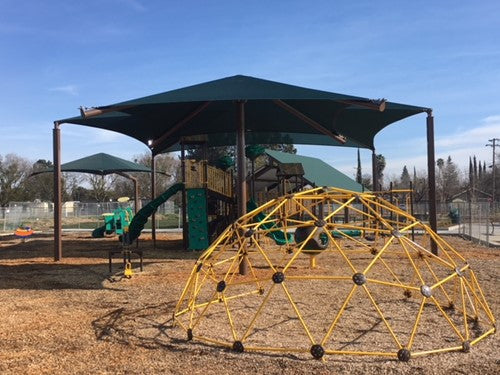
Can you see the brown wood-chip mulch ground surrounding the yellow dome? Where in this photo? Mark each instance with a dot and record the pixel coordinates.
(73, 316)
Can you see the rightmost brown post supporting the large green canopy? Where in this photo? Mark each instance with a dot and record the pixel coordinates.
(431, 173)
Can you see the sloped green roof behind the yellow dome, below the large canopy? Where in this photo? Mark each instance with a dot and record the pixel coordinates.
(317, 172)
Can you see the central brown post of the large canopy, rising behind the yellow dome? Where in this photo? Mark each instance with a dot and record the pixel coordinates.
(241, 177)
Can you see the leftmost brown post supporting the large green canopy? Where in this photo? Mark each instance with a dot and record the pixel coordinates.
(57, 192)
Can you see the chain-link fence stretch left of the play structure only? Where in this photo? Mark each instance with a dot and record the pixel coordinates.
(77, 215)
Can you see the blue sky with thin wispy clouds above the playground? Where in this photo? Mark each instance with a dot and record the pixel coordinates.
(58, 55)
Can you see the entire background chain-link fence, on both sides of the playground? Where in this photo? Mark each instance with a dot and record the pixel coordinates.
(479, 221)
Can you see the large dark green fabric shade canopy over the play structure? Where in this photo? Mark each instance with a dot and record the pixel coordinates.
(240, 110)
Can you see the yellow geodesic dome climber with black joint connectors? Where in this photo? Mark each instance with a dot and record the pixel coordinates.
(332, 272)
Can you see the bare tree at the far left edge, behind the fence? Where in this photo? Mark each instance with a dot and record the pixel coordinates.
(13, 171)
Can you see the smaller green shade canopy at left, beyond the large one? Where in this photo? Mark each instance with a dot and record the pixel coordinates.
(100, 164)
